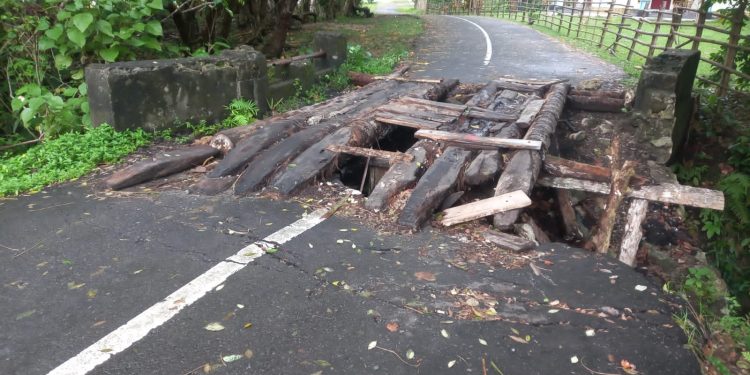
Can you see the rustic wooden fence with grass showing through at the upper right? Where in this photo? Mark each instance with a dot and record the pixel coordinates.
(628, 32)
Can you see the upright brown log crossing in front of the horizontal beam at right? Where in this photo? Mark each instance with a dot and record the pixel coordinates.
(602, 233)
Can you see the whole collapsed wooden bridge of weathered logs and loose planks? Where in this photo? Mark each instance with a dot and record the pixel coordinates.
(436, 139)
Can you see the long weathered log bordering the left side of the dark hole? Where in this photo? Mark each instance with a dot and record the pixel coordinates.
(316, 161)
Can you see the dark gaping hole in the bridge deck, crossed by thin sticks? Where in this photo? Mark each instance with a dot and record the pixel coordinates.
(352, 171)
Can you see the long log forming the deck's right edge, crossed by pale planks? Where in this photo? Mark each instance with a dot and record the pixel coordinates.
(523, 168)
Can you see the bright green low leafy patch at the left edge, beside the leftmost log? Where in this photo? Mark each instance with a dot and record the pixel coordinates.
(66, 158)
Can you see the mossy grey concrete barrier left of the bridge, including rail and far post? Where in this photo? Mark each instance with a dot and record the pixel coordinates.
(157, 94)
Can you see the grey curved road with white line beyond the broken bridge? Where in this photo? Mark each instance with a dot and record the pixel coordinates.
(477, 49)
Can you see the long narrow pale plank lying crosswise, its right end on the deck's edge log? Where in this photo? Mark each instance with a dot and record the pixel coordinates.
(475, 142)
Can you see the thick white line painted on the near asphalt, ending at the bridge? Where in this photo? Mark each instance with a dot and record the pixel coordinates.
(158, 314)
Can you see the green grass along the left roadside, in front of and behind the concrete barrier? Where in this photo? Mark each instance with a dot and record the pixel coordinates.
(376, 45)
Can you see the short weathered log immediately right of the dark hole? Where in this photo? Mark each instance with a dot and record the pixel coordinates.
(402, 176)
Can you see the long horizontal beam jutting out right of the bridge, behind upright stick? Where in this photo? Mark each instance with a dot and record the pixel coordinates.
(664, 193)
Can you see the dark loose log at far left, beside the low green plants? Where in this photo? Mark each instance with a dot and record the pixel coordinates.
(170, 163)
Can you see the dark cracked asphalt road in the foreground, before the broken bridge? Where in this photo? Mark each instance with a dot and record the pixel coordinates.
(172, 283)
